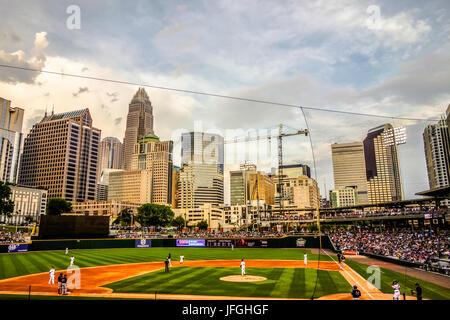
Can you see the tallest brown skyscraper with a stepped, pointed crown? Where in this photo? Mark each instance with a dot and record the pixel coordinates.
(139, 124)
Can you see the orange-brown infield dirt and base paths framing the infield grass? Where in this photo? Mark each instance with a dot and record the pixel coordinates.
(93, 278)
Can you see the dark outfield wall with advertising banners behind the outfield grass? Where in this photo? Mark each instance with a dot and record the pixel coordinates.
(306, 241)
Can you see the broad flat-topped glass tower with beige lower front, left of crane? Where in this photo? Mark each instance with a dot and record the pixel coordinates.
(201, 174)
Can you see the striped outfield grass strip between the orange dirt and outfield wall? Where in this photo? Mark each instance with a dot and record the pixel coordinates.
(18, 264)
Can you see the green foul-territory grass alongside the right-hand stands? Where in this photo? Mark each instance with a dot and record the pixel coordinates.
(430, 290)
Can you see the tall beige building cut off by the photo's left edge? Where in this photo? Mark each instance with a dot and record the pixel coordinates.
(10, 140)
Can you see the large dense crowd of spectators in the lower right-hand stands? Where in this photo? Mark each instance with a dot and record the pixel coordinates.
(420, 246)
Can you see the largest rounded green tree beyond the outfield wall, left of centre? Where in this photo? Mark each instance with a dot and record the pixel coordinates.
(157, 215)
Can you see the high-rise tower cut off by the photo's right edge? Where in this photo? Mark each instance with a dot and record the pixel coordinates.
(437, 145)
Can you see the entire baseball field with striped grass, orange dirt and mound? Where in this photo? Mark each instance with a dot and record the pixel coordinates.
(205, 274)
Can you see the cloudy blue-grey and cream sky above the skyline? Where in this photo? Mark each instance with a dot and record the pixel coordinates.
(379, 57)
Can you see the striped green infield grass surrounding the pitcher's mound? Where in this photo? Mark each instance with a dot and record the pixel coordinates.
(280, 283)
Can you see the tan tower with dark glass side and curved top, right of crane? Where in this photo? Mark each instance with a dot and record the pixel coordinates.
(382, 164)
